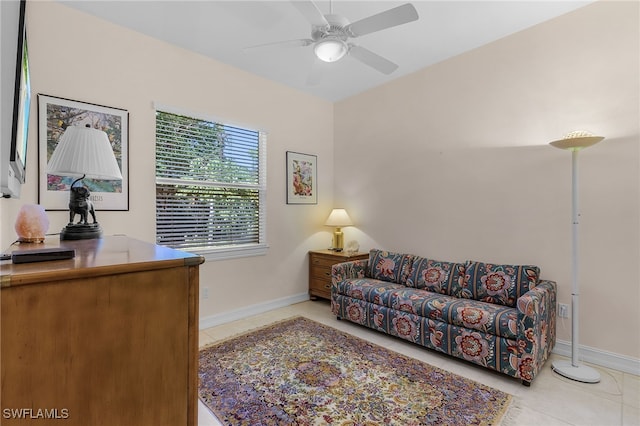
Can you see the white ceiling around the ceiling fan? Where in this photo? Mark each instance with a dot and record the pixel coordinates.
(221, 29)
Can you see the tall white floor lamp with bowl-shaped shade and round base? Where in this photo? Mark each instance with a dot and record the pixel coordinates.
(575, 142)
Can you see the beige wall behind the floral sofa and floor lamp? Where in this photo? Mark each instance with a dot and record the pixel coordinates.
(452, 162)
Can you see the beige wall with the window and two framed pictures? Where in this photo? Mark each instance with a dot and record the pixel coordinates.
(76, 56)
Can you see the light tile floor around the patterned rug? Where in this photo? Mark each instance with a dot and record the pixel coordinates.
(550, 400)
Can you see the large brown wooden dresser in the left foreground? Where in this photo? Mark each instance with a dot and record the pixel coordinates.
(107, 338)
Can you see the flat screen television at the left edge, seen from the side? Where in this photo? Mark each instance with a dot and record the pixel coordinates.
(14, 161)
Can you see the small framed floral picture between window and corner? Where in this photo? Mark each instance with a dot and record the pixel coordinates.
(302, 178)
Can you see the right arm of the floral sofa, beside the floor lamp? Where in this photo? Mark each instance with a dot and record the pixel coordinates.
(536, 328)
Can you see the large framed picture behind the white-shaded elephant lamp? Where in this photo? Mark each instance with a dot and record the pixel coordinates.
(54, 116)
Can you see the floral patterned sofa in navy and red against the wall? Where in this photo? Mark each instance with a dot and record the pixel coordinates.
(501, 317)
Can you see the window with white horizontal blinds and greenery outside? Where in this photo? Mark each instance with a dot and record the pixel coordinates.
(210, 186)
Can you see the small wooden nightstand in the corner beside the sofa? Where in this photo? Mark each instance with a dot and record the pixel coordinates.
(320, 262)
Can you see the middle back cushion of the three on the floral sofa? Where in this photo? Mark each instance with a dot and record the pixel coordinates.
(437, 276)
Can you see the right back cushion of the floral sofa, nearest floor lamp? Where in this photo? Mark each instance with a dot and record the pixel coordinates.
(499, 284)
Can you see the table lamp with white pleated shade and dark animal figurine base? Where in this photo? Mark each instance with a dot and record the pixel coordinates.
(83, 152)
